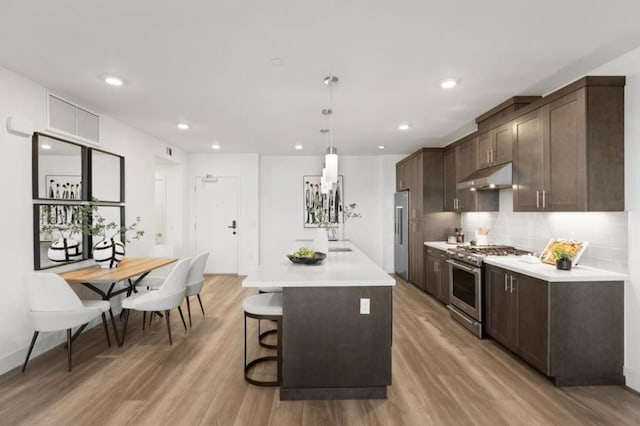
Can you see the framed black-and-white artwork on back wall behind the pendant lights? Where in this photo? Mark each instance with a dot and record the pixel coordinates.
(317, 206)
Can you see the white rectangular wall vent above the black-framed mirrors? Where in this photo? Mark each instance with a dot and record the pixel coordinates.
(66, 118)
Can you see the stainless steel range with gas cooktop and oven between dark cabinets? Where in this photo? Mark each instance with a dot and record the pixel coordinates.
(466, 276)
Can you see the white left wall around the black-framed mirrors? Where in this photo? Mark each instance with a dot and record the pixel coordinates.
(25, 99)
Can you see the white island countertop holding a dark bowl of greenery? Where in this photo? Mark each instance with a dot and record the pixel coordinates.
(339, 269)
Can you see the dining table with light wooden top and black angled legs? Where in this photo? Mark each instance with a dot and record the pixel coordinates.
(130, 271)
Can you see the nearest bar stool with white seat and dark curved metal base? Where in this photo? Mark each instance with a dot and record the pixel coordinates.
(267, 306)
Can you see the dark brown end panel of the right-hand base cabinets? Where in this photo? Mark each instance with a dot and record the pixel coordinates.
(587, 333)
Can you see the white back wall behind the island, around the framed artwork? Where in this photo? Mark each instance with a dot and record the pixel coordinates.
(369, 181)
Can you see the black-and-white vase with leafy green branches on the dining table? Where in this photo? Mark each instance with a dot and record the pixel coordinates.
(109, 250)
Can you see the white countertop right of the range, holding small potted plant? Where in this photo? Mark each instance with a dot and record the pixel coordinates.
(549, 273)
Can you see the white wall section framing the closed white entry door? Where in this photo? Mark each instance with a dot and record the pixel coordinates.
(245, 166)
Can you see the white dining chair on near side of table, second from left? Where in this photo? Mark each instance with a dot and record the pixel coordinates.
(168, 296)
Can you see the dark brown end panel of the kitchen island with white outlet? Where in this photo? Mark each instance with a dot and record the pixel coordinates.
(328, 346)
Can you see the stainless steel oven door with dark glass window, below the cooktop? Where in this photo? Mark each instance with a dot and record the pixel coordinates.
(465, 287)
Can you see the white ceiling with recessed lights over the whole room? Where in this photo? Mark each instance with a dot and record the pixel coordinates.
(208, 62)
